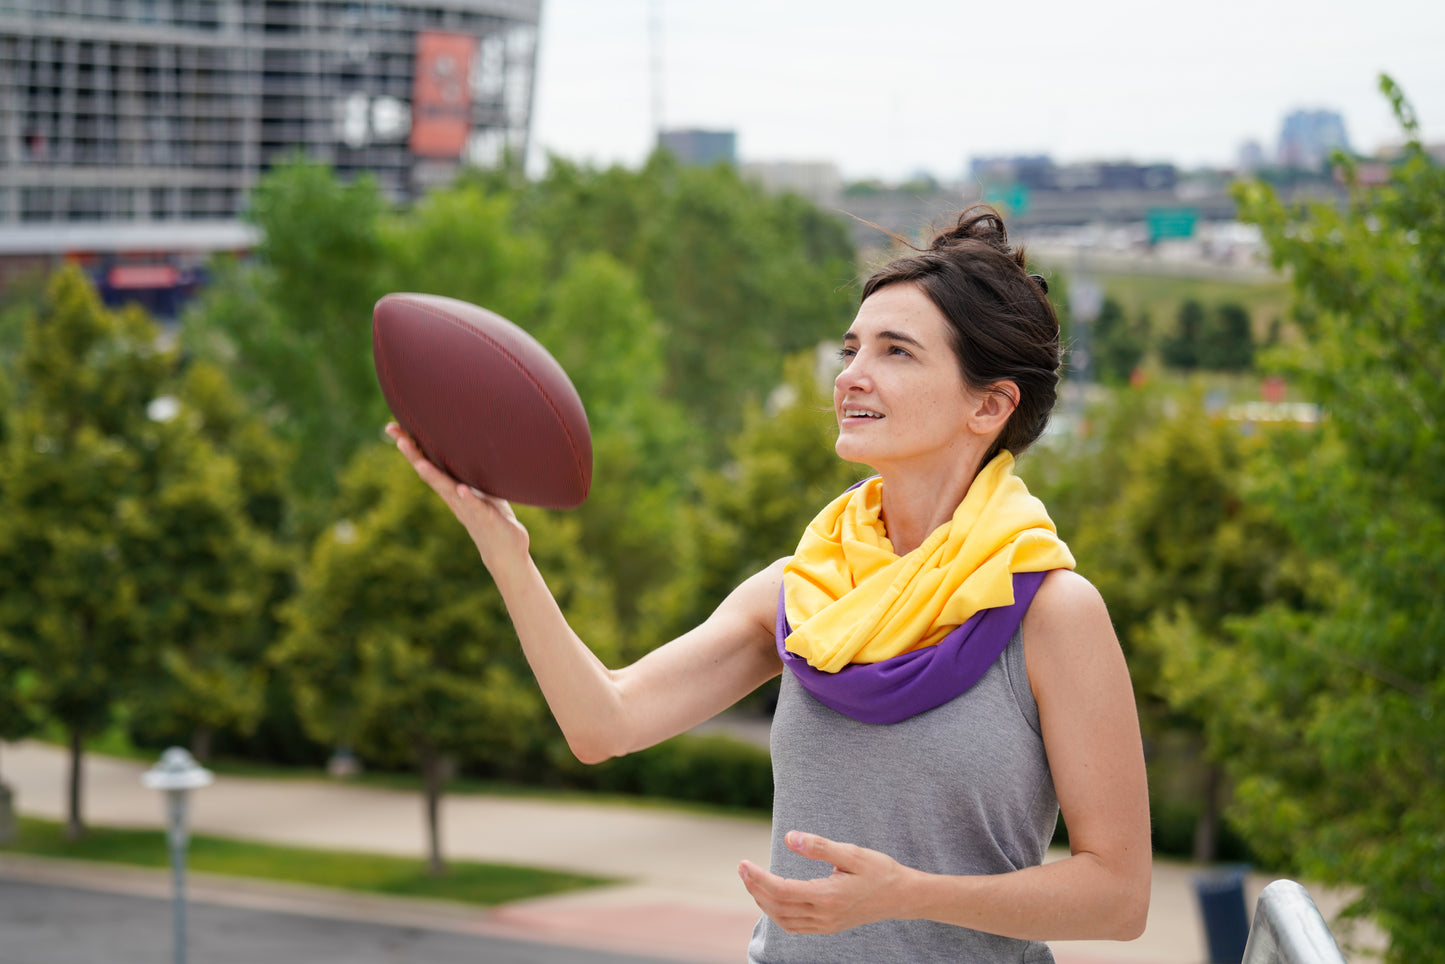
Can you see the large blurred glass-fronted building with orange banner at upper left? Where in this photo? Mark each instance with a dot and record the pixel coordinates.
(134, 131)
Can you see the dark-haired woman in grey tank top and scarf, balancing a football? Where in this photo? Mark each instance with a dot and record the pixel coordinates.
(950, 684)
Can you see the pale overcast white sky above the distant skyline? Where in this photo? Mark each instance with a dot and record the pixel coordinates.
(891, 90)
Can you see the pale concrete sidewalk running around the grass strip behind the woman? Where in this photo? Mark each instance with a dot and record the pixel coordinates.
(681, 898)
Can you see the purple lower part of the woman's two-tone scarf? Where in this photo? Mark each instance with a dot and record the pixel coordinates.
(914, 683)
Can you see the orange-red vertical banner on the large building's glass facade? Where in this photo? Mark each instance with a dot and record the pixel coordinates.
(441, 95)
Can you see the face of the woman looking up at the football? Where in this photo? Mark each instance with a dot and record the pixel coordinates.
(901, 398)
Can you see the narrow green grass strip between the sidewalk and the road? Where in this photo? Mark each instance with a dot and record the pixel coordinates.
(467, 882)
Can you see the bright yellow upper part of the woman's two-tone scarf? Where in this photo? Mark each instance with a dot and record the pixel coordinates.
(852, 601)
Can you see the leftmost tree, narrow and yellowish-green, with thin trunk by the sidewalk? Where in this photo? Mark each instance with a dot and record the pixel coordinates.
(76, 479)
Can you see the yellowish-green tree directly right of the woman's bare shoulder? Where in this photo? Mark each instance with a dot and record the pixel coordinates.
(1168, 531)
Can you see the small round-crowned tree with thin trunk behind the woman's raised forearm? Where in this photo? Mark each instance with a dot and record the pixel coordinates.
(401, 648)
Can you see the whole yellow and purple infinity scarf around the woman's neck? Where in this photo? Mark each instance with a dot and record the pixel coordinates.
(850, 603)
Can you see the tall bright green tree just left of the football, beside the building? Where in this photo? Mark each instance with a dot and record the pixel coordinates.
(294, 327)
